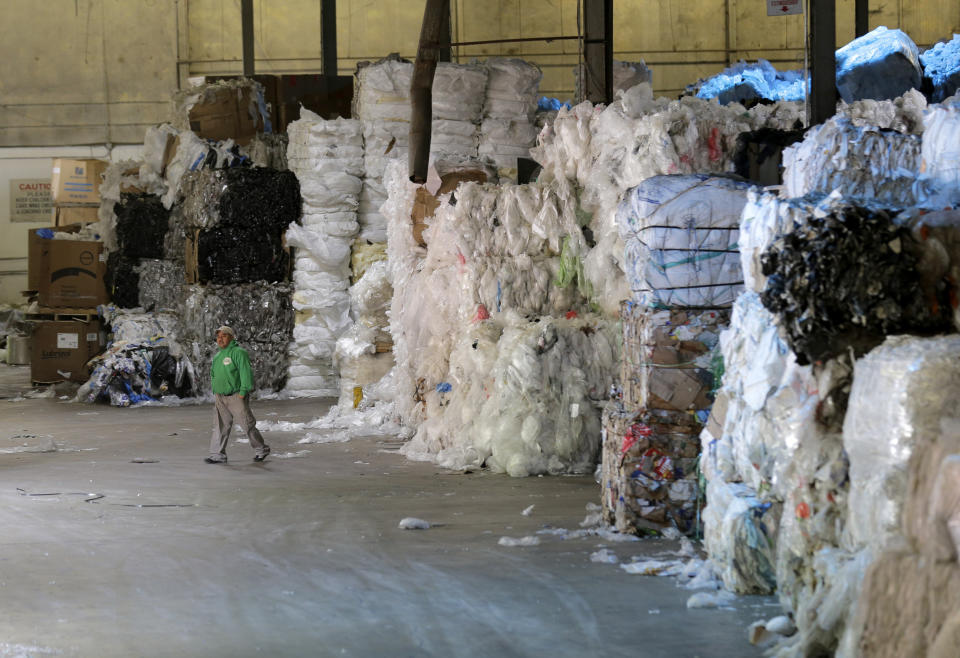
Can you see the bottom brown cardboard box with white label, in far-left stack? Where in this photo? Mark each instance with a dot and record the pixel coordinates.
(61, 350)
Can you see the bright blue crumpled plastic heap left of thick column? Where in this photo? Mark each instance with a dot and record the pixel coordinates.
(747, 81)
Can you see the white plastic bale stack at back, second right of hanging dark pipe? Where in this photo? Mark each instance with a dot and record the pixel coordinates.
(510, 102)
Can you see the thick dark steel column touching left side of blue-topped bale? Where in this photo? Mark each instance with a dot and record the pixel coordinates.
(823, 64)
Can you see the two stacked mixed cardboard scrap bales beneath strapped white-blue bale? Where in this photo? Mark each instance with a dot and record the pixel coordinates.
(651, 438)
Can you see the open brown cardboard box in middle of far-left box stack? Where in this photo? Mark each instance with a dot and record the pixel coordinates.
(66, 273)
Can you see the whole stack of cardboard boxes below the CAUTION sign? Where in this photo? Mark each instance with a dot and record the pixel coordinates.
(66, 277)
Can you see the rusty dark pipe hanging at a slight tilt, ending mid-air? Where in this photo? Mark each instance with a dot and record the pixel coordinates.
(421, 88)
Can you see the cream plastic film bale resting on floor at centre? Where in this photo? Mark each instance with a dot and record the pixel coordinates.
(518, 397)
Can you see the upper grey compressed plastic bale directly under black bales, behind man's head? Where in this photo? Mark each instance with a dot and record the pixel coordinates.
(258, 311)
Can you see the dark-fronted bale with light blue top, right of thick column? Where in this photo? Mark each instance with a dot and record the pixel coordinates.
(880, 65)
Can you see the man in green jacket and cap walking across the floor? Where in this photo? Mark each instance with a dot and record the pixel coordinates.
(232, 380)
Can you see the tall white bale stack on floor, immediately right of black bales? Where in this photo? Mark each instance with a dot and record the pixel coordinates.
(327, 157)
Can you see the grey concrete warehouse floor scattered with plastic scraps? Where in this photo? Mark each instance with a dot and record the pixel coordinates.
(302, 556)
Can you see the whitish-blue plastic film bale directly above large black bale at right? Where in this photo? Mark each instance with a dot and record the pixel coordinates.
(859, 161)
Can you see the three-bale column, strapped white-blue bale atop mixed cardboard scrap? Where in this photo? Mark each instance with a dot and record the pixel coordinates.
(683, 266)
